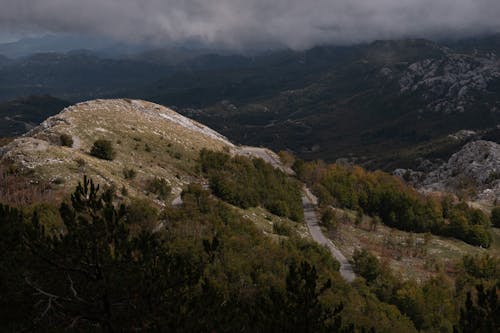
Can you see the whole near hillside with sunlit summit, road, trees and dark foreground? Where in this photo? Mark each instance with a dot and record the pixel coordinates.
(109, 194)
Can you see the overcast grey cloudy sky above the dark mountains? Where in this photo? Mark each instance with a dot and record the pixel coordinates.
(252, 23)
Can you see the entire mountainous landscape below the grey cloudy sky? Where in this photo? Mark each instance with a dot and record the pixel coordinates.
(339, 188)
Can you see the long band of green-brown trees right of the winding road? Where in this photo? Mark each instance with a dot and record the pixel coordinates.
(396, 204)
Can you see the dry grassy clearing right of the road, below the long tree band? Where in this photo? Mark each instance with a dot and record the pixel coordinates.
(413, 255)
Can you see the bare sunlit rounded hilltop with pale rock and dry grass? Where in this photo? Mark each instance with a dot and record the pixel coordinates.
(149, 141)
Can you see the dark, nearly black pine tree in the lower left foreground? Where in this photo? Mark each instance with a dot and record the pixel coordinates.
(98, 275)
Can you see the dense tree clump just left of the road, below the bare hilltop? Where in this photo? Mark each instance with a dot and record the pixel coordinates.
(248, 183)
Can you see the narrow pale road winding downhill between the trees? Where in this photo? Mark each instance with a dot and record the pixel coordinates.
(309, 201)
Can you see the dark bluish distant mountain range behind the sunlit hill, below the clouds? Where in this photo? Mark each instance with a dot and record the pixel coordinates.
(382, 104)
